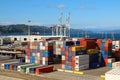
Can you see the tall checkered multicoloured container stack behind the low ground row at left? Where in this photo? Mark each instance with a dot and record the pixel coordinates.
(40, 52)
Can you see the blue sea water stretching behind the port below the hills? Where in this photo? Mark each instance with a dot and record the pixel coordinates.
(115, 36)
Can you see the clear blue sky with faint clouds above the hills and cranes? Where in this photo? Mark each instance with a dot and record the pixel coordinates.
(85, 14)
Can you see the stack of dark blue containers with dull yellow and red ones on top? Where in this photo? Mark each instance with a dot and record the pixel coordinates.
(92, 50)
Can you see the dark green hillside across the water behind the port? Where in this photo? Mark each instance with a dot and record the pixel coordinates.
(23, 29)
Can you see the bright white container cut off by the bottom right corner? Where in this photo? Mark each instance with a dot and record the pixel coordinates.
(113, 74)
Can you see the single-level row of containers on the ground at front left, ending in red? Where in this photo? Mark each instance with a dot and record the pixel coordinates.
(27, 68)
